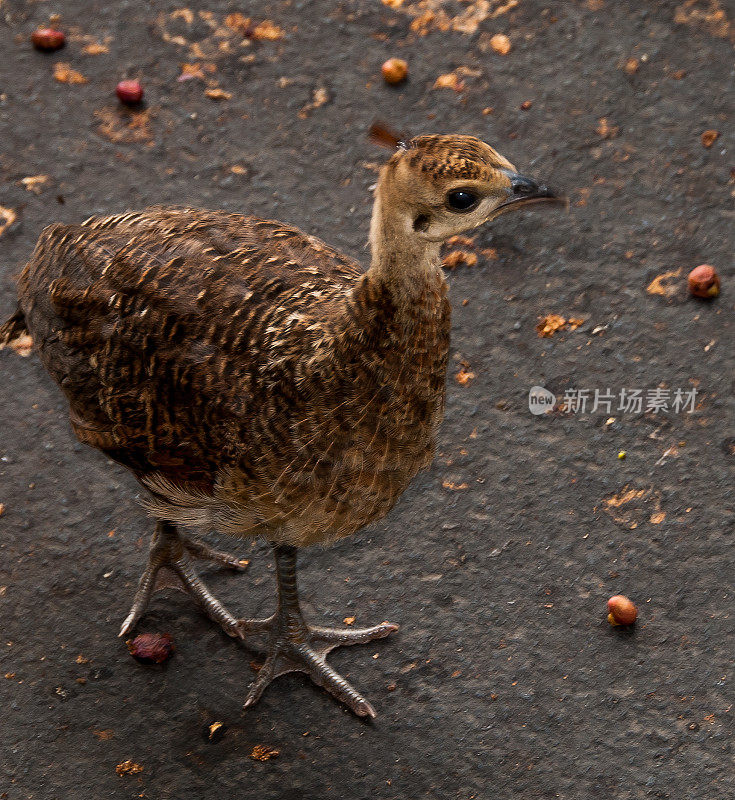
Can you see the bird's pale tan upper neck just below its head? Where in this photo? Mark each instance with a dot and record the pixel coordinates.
(403, 262)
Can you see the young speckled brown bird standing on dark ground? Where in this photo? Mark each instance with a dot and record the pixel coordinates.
(256, 381)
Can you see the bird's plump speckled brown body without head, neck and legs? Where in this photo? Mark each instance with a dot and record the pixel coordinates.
(250, 375)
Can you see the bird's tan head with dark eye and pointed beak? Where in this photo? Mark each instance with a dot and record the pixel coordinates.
(440, 186)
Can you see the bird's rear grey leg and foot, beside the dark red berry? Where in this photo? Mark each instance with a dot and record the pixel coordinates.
(172, 552)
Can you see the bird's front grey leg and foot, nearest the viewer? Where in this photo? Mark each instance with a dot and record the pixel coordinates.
(294, 645)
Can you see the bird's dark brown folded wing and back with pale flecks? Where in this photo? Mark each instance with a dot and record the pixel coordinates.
(161, 327)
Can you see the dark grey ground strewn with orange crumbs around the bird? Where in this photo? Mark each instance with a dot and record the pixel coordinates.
(507, 680)
